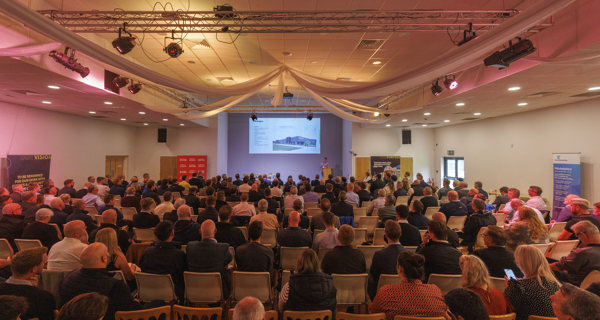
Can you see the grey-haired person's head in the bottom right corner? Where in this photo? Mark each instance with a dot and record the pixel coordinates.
(573, 303)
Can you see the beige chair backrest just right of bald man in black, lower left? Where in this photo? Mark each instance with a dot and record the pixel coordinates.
(155, 287)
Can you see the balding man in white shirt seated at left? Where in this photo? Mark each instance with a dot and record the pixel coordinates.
(64, 255)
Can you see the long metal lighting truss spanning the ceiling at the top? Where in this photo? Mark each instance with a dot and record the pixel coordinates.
(280, 21)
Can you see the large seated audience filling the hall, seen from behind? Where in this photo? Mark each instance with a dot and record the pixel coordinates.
(504, 249)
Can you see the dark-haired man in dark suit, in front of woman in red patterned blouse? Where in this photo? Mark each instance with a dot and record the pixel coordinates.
(384, 260)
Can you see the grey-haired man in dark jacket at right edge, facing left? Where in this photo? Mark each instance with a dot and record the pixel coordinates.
(582, 260)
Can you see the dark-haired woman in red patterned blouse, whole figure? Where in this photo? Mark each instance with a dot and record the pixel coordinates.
(411, 297)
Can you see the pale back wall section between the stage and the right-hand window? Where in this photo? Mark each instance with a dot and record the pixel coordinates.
(368, 142)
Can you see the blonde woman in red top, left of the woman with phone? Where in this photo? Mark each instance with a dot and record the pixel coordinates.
(476, 278)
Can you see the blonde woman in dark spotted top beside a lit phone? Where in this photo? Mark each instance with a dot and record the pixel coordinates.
(531, 295)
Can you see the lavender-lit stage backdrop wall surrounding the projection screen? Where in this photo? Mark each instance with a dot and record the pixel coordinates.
(240, 161)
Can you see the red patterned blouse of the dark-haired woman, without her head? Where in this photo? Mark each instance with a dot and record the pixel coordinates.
(409, 299)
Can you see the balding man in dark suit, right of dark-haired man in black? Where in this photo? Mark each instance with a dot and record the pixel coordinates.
(208, 255)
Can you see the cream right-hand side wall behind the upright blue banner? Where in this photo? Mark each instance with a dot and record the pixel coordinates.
(516, 150)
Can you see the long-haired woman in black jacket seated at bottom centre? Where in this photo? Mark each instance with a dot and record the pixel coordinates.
(308, 288)
